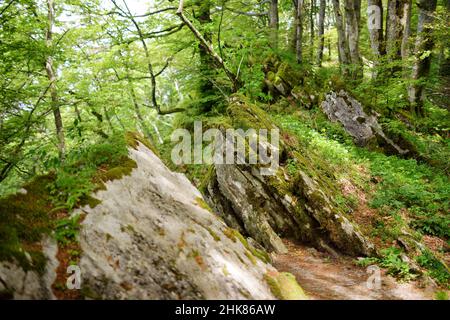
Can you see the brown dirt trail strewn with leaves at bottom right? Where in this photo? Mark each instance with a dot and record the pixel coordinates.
(324, 277)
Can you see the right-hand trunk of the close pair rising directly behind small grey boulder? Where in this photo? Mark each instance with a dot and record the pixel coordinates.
(352, 20)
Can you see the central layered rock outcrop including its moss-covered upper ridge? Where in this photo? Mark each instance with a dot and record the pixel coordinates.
(267, 208)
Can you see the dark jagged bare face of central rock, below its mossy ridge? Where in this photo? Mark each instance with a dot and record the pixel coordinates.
(249, 203)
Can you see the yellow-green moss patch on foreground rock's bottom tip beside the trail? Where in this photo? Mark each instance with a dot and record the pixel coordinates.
(284, 286)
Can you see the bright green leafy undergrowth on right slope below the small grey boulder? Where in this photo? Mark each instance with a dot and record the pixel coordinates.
(400, 183)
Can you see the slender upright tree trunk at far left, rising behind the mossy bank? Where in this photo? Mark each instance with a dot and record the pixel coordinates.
(52, 78)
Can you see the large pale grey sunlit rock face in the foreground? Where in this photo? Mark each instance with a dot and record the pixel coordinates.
(152, 238)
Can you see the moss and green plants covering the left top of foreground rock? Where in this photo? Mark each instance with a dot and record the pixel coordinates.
(44, 204)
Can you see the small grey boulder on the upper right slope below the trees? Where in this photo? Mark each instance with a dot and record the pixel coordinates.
(365, 129)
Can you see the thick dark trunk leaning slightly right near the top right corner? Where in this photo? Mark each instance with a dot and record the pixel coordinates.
(424, 46)
